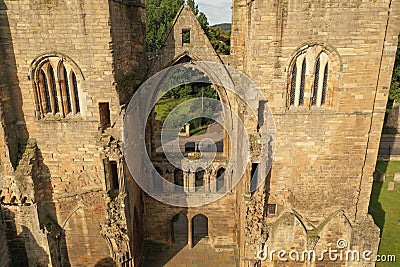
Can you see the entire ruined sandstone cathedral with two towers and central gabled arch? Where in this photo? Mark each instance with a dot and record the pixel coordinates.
(68, 71)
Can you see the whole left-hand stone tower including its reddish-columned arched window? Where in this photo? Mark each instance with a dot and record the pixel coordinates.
(67, 68)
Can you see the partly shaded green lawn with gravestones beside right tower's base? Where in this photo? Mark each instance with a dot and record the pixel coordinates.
(386, 211)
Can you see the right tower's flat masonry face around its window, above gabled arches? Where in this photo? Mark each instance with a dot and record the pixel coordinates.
(325, 157)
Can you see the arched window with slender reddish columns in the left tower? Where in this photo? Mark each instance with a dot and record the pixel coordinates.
(57, 87)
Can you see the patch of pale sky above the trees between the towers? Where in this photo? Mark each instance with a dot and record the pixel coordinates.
(217, 11)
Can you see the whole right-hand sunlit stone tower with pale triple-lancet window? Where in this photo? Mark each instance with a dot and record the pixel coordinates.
(325, 68)
